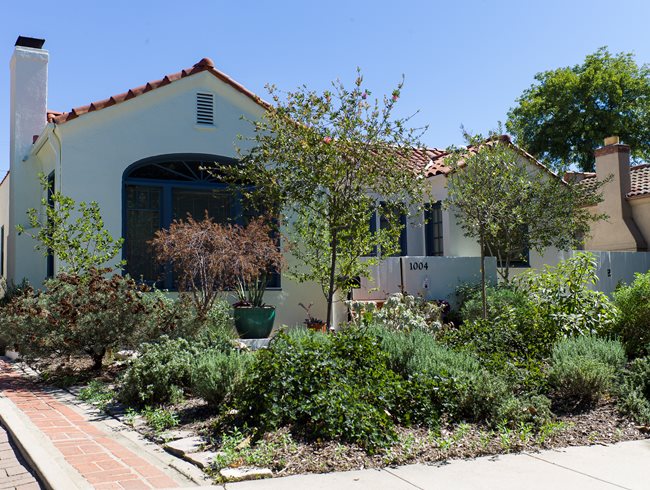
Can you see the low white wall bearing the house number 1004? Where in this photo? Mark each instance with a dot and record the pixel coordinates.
(430, 277)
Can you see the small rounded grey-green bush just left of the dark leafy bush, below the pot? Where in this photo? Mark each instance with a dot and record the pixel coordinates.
(219, 376)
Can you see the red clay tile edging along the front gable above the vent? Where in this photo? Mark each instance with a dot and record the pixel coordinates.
(206, 64)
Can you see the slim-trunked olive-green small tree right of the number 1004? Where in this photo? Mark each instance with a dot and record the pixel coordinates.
(508, 205)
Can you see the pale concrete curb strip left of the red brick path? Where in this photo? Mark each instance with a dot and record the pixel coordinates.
(54, 472)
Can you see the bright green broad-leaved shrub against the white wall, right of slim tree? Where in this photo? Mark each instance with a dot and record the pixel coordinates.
(562, 301)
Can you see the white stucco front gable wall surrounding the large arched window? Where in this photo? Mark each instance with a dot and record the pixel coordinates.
(98, 146)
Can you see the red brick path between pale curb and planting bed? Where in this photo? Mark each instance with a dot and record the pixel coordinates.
(101, 460)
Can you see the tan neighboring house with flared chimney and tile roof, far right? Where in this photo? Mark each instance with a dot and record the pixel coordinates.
(626, 200)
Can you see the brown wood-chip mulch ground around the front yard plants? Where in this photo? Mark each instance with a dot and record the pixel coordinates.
(602, 424)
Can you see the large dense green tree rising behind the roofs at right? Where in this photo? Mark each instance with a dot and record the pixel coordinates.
(565, 115)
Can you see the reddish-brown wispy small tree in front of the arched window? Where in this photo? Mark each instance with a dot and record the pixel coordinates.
(209, 257)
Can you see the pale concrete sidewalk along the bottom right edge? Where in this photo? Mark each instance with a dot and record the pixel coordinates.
(623, 465)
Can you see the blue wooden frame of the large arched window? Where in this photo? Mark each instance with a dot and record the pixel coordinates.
(167, 186)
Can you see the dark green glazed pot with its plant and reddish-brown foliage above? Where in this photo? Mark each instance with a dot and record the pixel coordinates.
(258, 254)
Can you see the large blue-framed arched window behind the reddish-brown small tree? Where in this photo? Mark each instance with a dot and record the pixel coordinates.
(162, 189)
